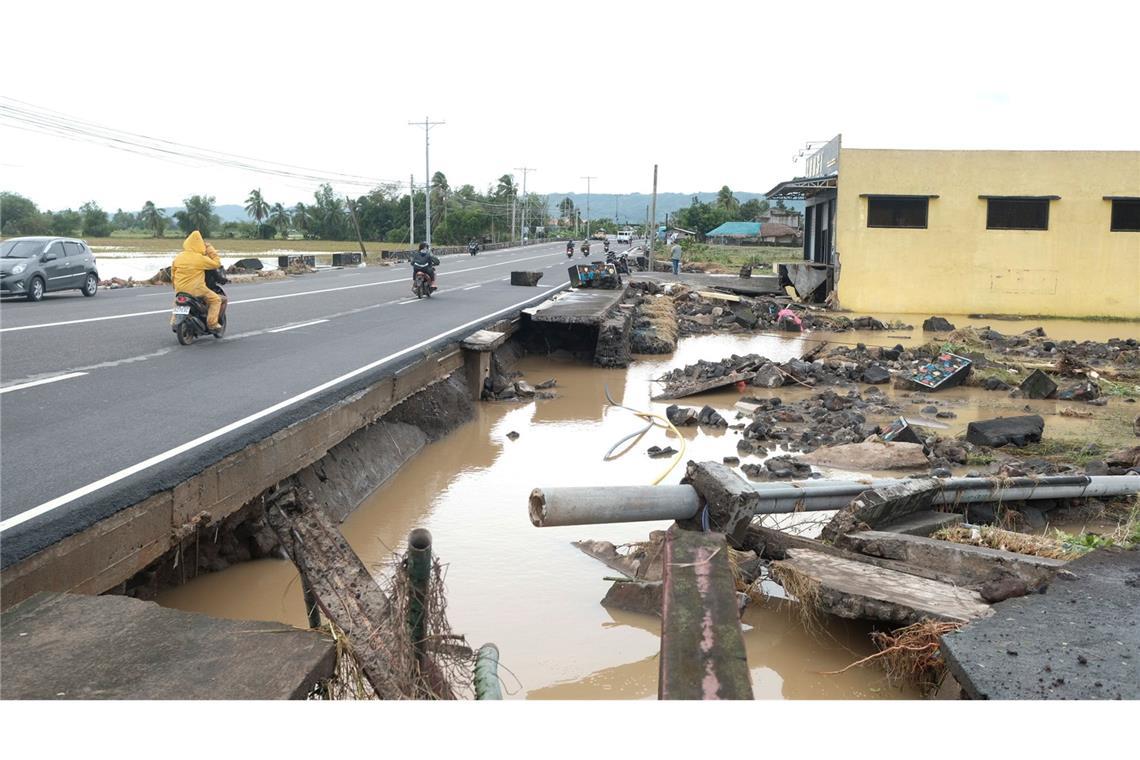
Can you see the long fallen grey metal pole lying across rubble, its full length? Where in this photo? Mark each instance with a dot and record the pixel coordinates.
(551, 508)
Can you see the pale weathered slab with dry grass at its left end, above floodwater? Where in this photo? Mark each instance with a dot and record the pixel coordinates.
(858, 591)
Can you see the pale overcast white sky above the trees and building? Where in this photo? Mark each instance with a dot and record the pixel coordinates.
(714, 93)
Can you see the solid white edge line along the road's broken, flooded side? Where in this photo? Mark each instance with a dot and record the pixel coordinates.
(146, 464)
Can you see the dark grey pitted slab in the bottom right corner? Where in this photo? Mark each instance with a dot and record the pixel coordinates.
(1079, 641)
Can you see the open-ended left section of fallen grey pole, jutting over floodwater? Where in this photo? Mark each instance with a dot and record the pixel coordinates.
(552, 508)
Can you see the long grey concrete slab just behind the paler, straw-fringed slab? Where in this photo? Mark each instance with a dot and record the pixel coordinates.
(972, 566)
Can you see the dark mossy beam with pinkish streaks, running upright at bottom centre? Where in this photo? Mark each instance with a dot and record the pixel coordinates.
(703, 648)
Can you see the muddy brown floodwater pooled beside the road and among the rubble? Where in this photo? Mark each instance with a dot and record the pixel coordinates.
(536, 596)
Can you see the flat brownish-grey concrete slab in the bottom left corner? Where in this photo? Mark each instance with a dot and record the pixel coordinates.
(69, 647)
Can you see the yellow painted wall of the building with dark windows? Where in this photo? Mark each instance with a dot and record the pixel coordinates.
(1077, 268)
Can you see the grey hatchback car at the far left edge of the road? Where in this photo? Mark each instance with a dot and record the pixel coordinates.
(35, 266)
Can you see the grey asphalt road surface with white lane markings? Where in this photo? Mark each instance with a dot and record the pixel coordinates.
(101, 407)
